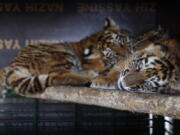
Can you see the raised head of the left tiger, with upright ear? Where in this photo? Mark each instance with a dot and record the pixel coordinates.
(104, 48)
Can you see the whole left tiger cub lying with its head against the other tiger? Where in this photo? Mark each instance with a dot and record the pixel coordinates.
(37, 67)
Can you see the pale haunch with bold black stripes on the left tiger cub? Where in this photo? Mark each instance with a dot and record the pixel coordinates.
(25, 83)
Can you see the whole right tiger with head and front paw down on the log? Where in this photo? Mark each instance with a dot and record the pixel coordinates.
(153, 69)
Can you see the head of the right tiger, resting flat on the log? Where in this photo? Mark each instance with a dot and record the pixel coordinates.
(153, 69)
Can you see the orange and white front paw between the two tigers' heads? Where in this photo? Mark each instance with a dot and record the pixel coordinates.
(103, 83)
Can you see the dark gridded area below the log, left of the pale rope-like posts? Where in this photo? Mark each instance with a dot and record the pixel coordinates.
(38, 117)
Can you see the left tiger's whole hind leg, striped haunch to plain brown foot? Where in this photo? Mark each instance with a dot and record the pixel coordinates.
(26, 83)
